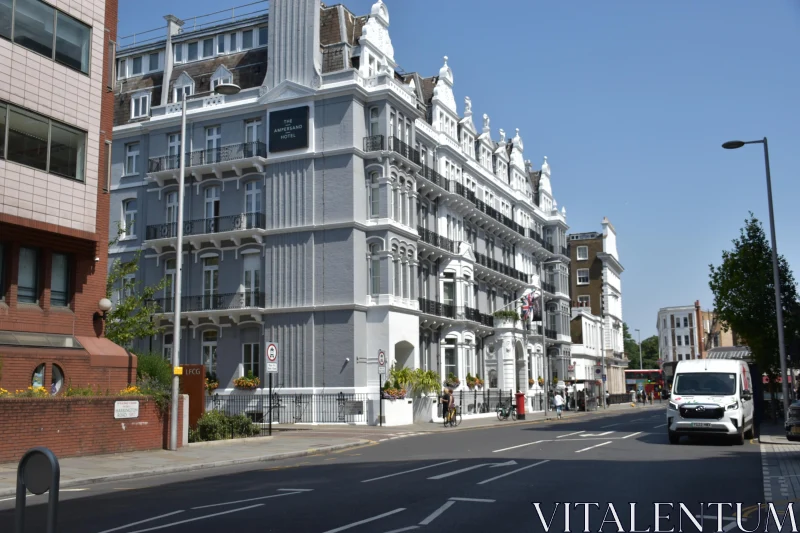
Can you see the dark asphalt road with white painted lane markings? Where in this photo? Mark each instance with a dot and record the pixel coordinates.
(453, 481)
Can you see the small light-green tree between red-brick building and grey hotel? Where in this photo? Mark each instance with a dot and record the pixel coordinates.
(131, 316)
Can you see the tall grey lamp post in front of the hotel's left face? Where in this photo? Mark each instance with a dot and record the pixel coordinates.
(224, 89)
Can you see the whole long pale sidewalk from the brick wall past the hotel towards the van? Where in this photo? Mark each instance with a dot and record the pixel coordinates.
(287, 442)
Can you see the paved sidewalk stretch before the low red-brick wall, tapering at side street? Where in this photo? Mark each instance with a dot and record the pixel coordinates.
(101, 468)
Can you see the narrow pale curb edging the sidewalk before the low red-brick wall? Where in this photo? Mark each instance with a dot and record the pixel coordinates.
(200, 466)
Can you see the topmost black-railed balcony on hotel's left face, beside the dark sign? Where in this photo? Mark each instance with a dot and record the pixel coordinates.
(233, 157)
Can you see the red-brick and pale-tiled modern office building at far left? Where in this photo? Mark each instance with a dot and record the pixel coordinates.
(56, 109)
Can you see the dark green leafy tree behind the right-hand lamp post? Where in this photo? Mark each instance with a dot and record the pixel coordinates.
(744, 295)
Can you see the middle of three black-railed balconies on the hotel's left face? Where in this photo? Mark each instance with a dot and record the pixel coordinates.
(213, 230)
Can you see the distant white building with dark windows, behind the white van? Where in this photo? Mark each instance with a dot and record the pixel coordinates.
(680, 333)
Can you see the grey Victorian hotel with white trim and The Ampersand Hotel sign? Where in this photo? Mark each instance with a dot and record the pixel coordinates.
(334, 206)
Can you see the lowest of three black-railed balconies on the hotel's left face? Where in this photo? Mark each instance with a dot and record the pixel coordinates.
(232, 305)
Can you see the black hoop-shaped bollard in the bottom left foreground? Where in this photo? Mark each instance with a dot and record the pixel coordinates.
(38, 472)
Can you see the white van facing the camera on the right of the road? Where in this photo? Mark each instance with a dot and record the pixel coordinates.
(711, 396)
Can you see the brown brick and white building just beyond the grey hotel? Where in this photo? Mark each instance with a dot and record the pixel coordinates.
(596, 290)
